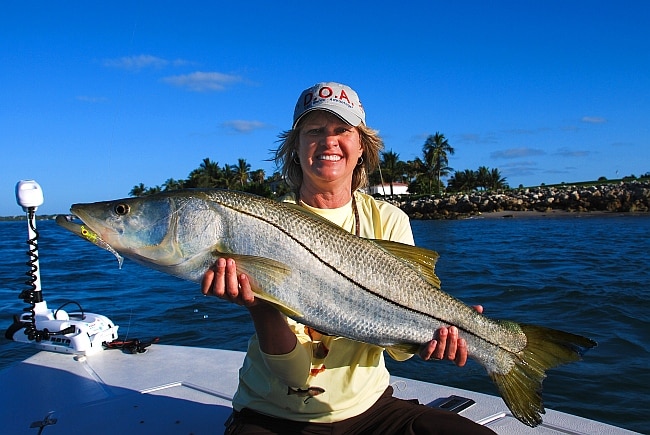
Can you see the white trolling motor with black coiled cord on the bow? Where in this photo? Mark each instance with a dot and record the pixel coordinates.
(53, 330)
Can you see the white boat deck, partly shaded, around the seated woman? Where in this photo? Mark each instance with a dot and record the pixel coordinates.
(187, 390)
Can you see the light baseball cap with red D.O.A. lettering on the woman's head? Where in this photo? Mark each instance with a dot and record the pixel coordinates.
(336, 98)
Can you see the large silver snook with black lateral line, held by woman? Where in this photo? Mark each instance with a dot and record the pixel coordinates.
(373, 291)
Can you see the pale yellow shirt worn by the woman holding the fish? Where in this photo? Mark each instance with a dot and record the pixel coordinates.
(324, 379)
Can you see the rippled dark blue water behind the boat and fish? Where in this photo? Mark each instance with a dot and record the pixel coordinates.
(586, 274)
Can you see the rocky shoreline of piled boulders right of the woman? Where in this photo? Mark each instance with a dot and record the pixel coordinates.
(625, 197)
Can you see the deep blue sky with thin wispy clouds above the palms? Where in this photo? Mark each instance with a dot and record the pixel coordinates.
(97, 98)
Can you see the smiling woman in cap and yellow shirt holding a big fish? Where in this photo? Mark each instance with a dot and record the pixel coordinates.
(294, 379)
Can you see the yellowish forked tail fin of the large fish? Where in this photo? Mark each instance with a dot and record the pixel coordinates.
(521, 387)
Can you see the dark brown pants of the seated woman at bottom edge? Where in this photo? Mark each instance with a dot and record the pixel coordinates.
(389, 415)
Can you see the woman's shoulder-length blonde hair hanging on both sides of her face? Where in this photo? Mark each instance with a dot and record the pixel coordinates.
(286, 156)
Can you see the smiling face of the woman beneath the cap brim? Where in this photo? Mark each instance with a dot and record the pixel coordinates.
(328, 149)
